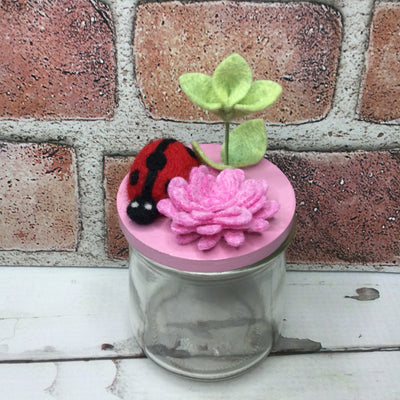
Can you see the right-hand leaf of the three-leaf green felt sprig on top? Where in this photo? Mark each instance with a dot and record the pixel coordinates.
(261, 95)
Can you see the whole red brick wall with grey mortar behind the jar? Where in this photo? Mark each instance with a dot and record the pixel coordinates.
(85, 84)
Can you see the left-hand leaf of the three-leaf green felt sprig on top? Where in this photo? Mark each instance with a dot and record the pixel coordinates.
(199, 88)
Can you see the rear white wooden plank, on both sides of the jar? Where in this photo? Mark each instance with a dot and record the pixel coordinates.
(70, 313)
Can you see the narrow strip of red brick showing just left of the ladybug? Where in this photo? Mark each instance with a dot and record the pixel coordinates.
(115, 168)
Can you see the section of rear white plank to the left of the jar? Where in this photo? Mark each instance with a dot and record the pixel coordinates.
(70, 313)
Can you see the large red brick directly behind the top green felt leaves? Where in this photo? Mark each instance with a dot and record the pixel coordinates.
(296, 45)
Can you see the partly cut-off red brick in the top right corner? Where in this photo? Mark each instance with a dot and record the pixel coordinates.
(380, 99)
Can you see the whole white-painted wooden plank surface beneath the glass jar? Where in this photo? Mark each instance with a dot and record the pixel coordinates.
(55, 322)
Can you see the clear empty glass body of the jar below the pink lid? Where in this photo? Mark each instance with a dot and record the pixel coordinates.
(206, 325)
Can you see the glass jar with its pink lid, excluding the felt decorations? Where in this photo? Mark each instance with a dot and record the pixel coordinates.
(209, 314)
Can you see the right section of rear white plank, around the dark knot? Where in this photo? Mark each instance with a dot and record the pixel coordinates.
(318, 309)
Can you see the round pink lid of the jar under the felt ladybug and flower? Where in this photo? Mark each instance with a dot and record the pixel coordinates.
(158, 243)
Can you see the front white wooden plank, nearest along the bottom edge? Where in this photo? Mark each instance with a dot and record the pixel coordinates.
(344, 376)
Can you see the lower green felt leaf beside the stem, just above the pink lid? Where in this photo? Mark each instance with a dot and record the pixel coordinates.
(247, 144)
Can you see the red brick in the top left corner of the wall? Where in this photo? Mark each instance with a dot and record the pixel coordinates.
(57, 59)
